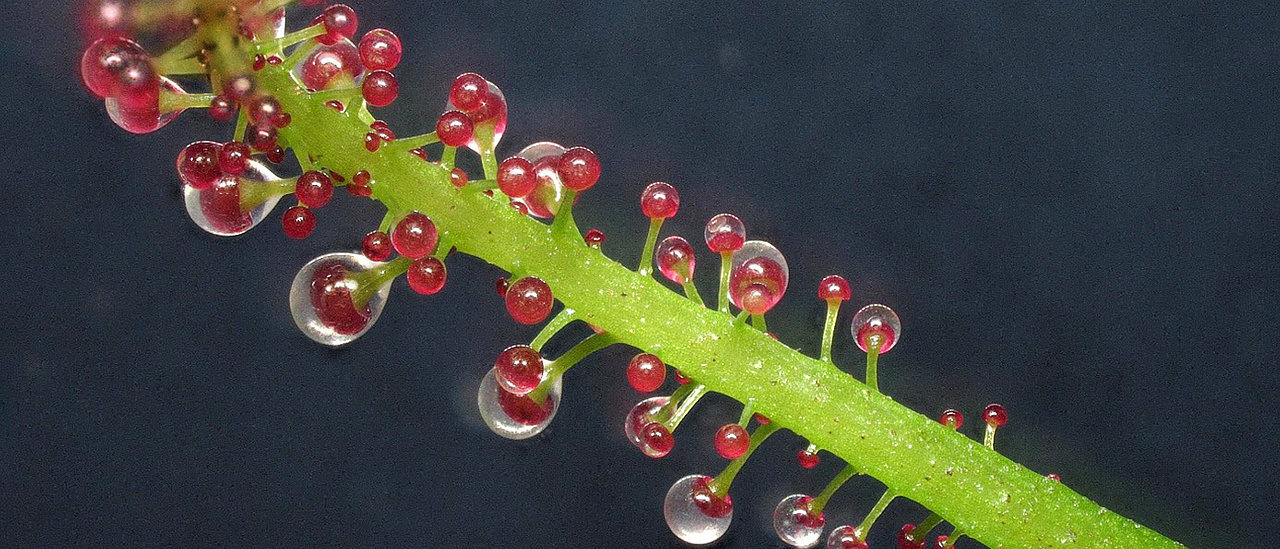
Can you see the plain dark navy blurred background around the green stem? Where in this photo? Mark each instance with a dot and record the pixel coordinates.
(1072, 207)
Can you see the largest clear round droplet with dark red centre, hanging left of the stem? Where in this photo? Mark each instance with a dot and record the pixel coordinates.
(332, 299)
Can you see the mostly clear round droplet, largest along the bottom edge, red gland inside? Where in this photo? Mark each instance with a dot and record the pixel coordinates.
(694, 514)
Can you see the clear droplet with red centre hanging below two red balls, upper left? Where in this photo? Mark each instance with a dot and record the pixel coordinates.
(235, 204)
